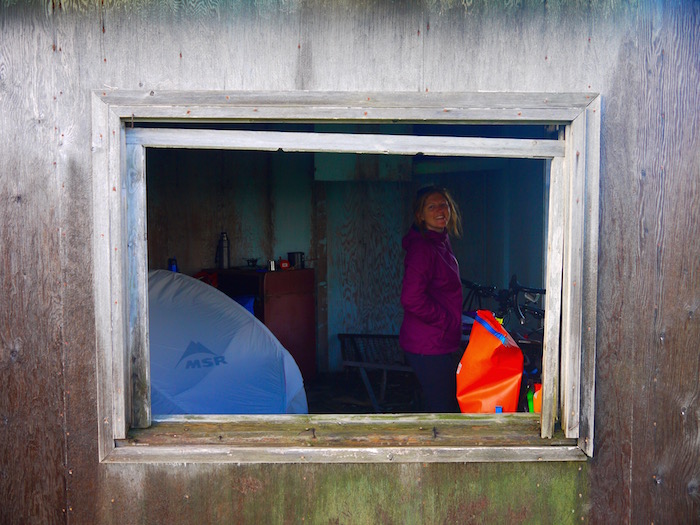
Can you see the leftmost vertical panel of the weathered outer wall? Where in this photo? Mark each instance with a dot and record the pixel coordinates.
(33, 347)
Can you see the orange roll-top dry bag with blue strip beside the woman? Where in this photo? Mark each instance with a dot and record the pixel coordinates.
(489, 373)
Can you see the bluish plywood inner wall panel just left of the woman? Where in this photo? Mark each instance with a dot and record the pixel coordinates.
(365, 261)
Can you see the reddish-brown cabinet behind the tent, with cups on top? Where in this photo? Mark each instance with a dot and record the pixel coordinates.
(285, 302)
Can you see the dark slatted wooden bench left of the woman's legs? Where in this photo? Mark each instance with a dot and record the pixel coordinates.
(368, 352)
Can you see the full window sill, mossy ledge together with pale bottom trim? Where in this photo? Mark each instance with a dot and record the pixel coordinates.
(424, 438)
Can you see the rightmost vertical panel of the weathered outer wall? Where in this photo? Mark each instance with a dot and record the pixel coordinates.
(666, 466)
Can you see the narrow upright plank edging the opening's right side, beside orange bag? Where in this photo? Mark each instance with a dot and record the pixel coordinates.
(553, 285)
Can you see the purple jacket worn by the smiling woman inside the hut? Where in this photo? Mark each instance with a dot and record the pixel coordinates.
(431, 295)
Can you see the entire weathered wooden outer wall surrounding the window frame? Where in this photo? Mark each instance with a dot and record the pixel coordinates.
(641, 56)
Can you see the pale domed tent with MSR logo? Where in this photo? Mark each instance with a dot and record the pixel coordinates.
(209, 355)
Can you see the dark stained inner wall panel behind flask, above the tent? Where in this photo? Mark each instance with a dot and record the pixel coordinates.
(195, 195)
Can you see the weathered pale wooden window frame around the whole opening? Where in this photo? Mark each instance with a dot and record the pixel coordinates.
(563, 431)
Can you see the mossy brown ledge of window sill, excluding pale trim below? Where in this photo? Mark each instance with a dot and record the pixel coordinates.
(349, 432)
